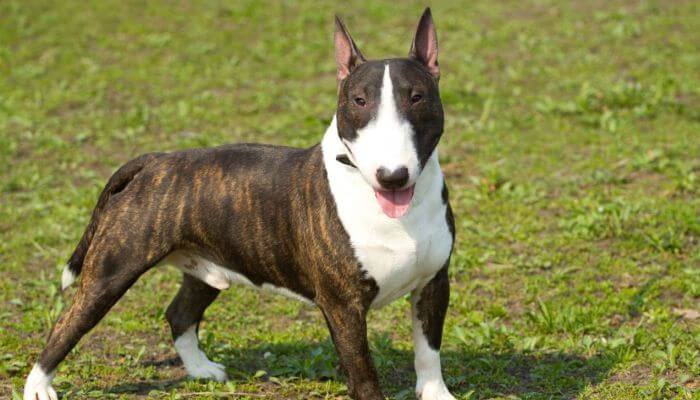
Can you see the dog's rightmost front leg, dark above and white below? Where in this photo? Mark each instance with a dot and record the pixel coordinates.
(429, 305)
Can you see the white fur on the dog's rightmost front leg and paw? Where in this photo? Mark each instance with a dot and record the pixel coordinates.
(429, 383)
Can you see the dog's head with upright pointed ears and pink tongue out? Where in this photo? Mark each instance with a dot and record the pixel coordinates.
(389, 113)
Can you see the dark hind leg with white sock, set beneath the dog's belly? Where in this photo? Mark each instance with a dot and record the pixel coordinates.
(183, 315)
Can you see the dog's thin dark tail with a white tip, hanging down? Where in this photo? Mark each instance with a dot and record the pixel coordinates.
(116, 184)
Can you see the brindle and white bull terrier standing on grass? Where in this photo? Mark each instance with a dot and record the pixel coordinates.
(350, 224)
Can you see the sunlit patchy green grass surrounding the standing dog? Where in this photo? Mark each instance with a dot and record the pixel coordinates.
(571, 148)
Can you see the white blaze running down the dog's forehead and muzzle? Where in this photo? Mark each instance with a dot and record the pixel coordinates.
(386, 141)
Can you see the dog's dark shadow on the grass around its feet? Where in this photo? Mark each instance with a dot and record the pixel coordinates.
(482, 373)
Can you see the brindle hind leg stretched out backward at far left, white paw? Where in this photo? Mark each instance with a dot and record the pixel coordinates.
(111, 266)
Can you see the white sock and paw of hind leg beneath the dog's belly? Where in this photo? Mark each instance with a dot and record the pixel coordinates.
(196, 362)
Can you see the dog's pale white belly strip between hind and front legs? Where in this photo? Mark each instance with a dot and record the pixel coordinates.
(220, 277)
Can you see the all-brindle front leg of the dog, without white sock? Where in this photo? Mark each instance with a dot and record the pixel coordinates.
(348, 326)
